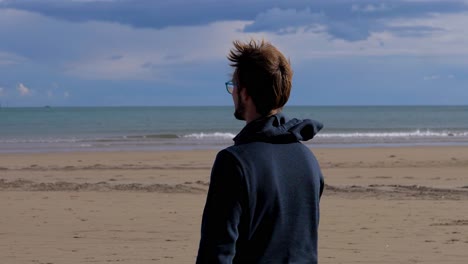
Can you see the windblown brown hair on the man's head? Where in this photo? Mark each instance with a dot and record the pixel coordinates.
(264, 71)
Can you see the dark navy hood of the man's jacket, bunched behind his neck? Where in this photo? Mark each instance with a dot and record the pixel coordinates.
(278, 129)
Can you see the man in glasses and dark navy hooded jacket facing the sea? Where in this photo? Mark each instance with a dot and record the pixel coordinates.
(263, 200)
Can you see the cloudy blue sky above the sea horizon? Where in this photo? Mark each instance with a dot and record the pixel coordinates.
(159, 53)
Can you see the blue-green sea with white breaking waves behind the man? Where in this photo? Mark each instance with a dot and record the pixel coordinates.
(52, 129)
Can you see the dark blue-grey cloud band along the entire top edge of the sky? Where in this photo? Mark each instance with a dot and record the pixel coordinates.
(347, 20)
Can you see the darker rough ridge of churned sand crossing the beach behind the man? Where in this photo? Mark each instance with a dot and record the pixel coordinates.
(379, 191)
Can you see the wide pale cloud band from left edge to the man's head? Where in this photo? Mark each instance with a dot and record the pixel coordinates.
(111, 51)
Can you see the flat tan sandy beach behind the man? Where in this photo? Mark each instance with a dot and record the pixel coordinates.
(381, 205)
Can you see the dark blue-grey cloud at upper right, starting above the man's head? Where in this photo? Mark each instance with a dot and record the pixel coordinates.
(353, 23)
